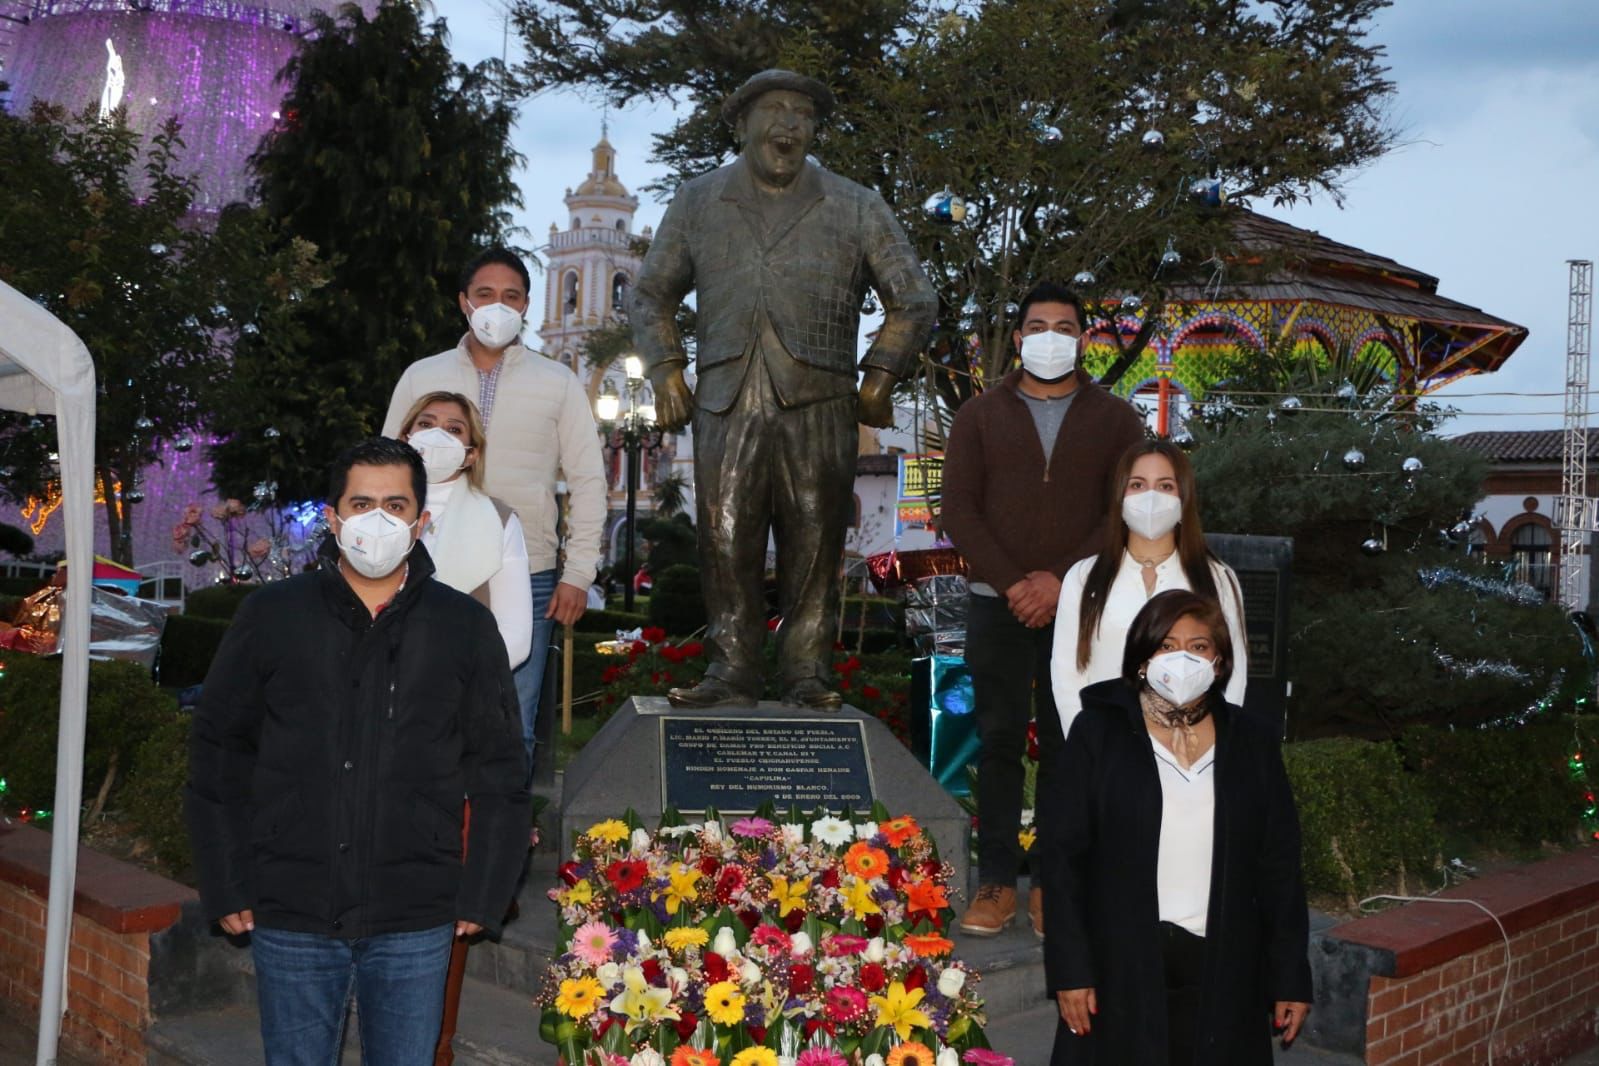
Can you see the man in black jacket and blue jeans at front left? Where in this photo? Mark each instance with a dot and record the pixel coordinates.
(346, 718)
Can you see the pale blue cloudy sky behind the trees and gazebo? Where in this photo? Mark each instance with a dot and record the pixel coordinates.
(1493, 191)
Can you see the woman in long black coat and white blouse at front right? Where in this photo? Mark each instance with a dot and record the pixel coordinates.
(1173, 950)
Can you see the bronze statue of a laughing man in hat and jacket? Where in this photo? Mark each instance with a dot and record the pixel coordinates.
(781, 253)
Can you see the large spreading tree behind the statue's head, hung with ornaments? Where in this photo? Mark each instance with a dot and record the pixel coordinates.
(1032, 111)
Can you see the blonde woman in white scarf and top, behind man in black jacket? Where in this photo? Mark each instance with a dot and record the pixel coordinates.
(476, 539)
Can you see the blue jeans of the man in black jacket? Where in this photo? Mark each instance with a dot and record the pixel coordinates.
(303, 985)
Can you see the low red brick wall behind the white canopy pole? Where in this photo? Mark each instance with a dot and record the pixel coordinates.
(116, 910)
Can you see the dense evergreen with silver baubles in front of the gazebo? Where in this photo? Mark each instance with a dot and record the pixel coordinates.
(1376, 642)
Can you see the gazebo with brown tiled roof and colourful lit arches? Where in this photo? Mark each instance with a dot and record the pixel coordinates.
(1293, 287)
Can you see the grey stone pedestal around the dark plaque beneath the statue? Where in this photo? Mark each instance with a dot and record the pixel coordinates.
(624, 766)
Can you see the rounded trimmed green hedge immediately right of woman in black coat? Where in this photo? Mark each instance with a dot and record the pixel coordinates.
(1365, 824)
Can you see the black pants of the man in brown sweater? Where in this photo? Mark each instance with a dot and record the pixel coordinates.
(1010, 666)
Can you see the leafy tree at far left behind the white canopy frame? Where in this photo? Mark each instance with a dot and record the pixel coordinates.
(97, 228)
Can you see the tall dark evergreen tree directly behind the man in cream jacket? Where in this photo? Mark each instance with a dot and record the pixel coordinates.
(394, 162)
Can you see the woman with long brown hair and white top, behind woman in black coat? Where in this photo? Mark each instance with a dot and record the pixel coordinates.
(1154, 543)
